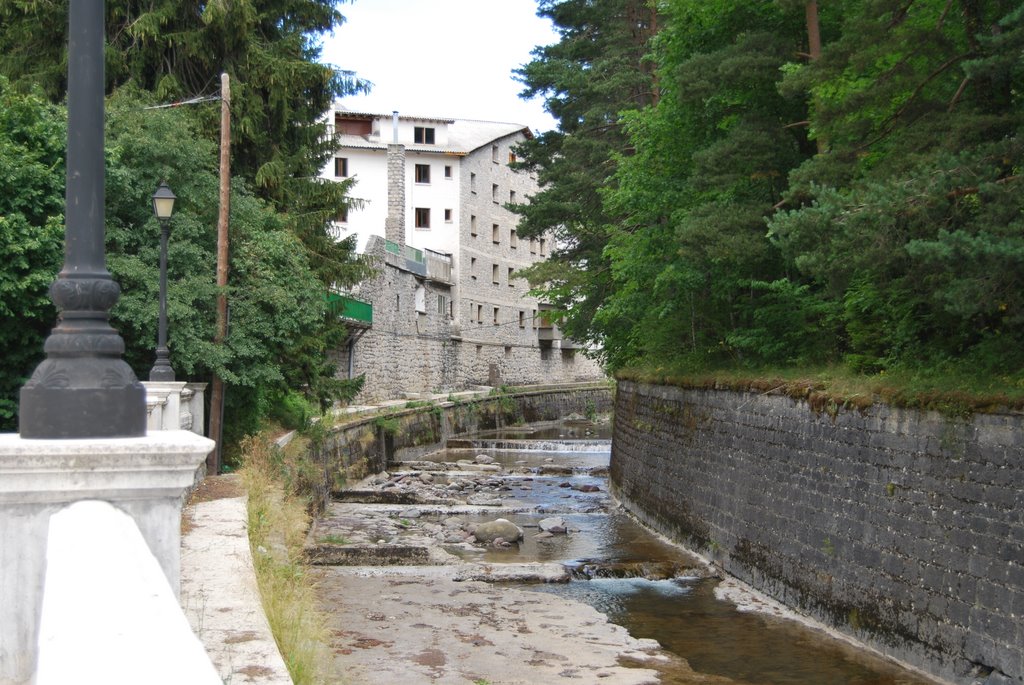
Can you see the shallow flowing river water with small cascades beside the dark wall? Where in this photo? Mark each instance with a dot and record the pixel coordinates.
(642, 582)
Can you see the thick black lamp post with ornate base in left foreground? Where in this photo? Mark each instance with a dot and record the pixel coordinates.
(83, 389)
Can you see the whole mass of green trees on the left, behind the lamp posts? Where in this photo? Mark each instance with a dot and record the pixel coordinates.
(283, 255)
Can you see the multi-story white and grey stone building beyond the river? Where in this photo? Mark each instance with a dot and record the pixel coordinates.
(449, 309)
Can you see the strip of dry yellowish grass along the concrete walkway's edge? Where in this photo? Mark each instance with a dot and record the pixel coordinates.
(278, 526)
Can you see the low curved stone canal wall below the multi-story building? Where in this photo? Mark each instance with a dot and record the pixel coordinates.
(367, 445)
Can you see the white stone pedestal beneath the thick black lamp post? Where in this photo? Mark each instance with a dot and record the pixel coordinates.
(146, 478)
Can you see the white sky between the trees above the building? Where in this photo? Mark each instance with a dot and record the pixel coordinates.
(449, 59)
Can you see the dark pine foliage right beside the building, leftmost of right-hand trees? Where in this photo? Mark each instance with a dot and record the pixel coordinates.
(599, 69)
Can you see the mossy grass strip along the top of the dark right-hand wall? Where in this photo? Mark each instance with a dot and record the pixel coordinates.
(953, 392)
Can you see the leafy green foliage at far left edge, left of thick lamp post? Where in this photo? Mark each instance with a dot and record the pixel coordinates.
(32, 172)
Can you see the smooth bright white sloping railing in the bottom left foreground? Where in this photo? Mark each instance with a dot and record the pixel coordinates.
(109, 614)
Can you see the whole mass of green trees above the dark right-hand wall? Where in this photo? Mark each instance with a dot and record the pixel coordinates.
(764, 208)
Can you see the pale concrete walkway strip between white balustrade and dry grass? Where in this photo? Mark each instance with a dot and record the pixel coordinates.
(219, 586)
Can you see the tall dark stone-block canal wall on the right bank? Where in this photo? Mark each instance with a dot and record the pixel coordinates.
(902, 529)
